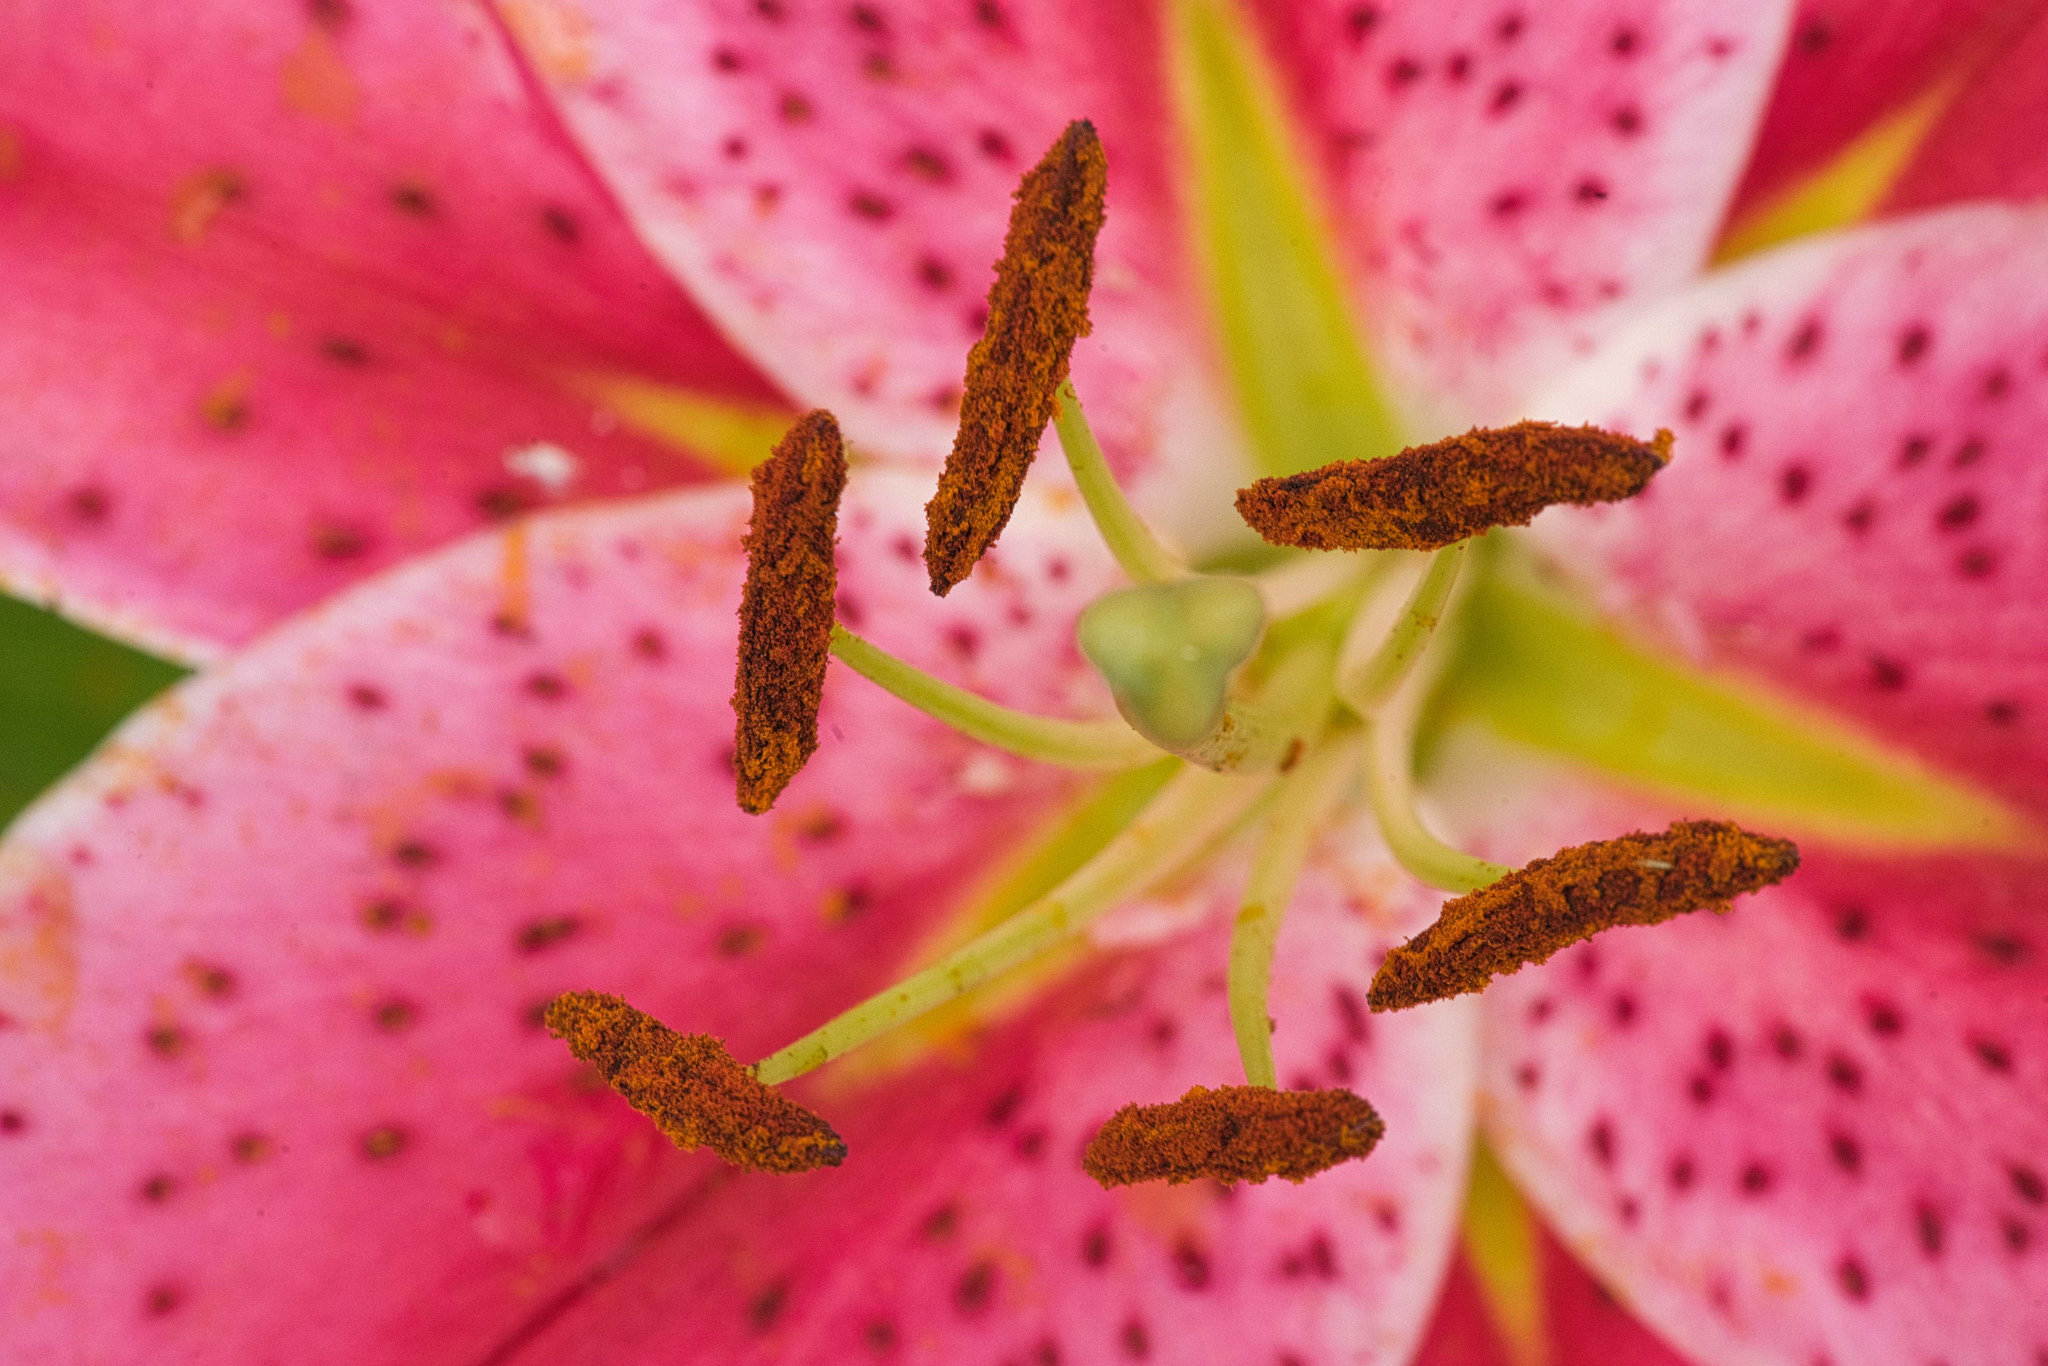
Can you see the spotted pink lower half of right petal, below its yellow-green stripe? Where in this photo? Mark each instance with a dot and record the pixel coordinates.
(1807, 1132)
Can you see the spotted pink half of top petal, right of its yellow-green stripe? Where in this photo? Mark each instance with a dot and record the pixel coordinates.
(1506, 175)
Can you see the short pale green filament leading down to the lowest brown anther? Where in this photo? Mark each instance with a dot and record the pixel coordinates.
(1302, 804)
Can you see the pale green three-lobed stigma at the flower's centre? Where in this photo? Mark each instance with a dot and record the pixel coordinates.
(1170, 652)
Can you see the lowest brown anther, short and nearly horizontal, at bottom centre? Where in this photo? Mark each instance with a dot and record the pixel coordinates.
(1234, 1134)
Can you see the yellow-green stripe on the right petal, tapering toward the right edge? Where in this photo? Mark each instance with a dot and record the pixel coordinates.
(1545, 675)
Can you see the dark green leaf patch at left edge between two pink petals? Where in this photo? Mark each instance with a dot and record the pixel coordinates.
(60, 691)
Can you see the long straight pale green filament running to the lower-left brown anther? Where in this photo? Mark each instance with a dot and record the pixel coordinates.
(1189, 816)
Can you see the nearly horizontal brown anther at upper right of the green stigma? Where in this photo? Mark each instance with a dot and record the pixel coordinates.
(1449, 490)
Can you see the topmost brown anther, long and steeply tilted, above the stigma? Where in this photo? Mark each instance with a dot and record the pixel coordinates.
(1037, 308)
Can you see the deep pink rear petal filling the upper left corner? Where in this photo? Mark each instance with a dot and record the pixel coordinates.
(286, 296)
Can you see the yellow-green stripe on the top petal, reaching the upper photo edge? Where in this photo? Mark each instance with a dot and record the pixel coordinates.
(1297, 366)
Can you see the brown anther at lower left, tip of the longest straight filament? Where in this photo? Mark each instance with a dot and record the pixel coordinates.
(691, 1086)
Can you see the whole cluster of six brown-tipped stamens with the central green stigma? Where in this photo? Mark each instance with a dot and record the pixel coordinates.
(1271, 697)
